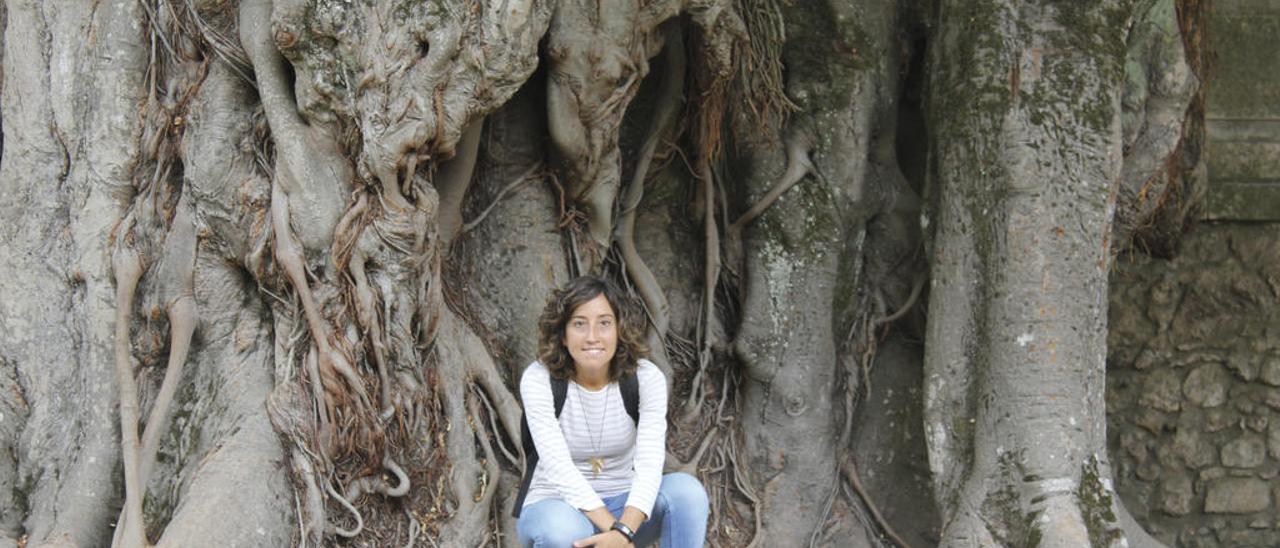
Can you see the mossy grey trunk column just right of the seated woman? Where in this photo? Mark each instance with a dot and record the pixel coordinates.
(804, 257)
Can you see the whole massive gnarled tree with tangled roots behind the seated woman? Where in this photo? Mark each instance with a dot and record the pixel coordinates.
(280, 264)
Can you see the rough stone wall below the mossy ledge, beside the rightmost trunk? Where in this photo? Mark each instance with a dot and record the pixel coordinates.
(1194, 389)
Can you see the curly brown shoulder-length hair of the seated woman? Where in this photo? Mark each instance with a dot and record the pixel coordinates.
(560, 309)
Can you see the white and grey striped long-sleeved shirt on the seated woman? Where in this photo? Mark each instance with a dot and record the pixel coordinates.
(596, 424)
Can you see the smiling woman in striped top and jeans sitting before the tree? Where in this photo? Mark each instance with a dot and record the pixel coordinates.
(598, 476)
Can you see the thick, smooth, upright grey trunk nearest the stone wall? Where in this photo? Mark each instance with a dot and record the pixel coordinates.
(1026, 167)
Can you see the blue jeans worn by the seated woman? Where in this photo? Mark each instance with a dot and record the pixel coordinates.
(679, 515)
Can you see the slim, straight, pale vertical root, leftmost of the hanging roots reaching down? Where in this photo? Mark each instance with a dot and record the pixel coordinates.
(127, 268)
